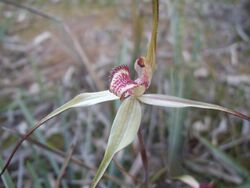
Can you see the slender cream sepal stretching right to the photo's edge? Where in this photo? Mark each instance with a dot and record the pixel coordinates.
(176, 102)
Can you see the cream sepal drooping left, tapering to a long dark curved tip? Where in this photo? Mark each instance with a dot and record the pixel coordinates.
(81, 100)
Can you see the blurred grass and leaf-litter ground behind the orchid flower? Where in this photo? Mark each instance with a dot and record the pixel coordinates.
(203, 54)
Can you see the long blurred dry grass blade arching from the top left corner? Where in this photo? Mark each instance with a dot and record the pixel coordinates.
(78, 49)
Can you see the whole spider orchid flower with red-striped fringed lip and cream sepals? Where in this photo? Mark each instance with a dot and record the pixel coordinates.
(131, 92)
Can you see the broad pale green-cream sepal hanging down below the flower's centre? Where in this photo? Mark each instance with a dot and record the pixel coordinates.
(123, 132)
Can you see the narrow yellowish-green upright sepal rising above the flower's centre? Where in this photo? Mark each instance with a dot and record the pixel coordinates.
(151, 52)
